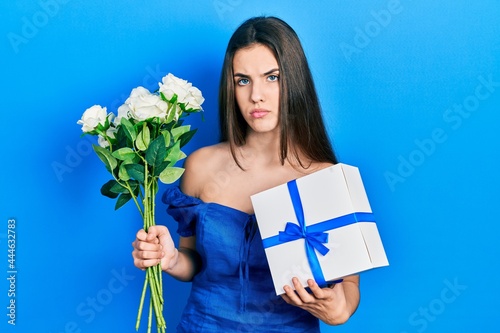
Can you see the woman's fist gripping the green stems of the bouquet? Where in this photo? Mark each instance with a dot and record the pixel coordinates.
(154, 247)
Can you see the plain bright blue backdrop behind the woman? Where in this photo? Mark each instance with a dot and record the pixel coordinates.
(391, 76)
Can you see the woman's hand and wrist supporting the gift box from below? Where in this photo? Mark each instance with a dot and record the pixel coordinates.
(333, 305)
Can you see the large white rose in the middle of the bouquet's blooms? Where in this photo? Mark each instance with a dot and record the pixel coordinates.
(144, 105)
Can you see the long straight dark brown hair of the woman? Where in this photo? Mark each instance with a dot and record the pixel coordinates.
(302, 130)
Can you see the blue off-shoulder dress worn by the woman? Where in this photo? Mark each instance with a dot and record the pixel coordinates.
(233, 292)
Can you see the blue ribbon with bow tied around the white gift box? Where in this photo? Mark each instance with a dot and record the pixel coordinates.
(314, 235)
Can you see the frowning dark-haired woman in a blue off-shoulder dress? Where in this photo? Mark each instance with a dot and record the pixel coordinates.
(272, 132)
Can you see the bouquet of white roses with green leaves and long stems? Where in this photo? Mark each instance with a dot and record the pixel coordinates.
(140, 146)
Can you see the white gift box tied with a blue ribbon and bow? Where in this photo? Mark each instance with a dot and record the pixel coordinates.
(334, 203)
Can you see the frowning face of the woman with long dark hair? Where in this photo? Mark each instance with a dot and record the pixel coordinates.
(256, 81)
